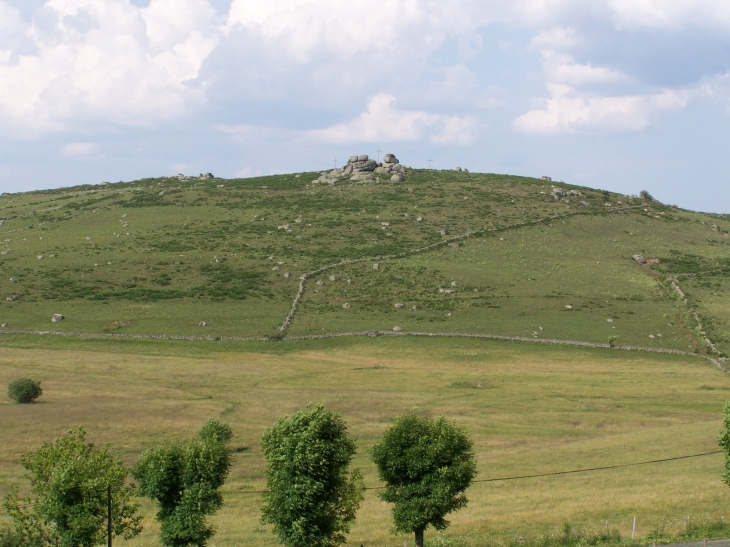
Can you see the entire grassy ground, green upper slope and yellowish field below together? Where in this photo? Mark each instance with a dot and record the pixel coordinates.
(459, 253)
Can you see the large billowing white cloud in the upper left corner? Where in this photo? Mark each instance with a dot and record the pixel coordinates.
(105, 61)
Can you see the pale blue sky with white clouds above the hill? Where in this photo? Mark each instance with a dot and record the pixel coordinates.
(624, 95)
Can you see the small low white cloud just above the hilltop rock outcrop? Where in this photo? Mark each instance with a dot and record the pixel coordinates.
(382, 122)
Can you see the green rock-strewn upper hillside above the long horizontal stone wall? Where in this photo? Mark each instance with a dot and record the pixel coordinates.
(160, 256)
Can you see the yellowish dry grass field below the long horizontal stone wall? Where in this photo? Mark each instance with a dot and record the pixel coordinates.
(529, 408)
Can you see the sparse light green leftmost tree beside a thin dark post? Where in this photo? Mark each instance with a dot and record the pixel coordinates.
(68, 502)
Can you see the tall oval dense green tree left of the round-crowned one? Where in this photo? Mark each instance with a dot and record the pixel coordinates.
(312, 496)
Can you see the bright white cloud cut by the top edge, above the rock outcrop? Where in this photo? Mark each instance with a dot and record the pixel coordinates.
(345, 29)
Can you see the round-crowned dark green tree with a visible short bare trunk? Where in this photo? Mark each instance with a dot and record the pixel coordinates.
(426, 466)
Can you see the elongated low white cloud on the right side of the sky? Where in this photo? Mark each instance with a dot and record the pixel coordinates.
(568, 111)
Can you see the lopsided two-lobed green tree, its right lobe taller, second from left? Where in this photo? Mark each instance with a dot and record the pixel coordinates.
(185, 480)
